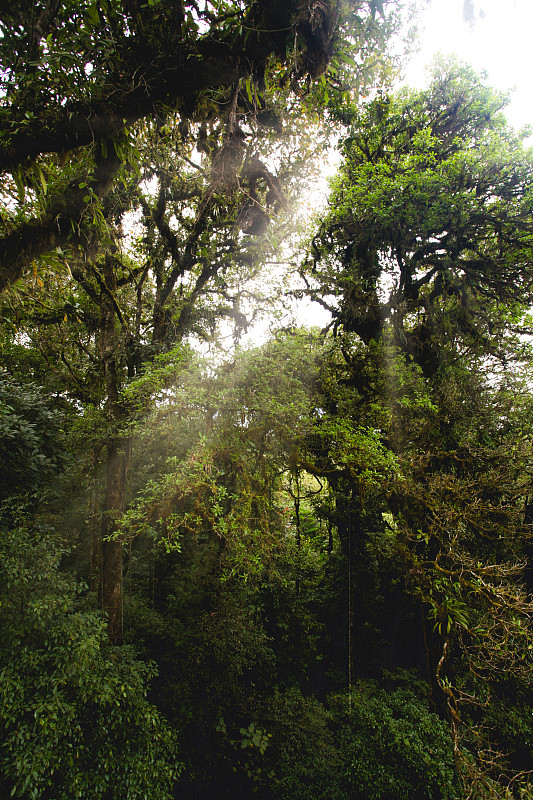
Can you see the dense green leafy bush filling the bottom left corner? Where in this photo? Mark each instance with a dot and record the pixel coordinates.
(74, 719)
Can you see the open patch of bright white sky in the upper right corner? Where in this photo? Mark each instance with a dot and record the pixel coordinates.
(500, 42)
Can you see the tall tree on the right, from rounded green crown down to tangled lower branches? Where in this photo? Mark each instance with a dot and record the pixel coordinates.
(425, 261)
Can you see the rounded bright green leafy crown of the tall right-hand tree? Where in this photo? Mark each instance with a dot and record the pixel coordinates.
(432, 202)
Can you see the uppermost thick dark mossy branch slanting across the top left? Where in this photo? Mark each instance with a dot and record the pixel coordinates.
(175, 71)
